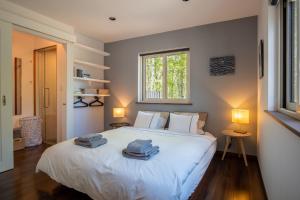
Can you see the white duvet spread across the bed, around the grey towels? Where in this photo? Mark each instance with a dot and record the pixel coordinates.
(103, 173)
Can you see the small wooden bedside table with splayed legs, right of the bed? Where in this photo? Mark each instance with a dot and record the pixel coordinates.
(239, 136)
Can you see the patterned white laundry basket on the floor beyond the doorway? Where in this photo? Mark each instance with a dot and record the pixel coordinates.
(31, 130)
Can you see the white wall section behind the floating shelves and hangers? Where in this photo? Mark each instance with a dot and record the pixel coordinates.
(90, 119)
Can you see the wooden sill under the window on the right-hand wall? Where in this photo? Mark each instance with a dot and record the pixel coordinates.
(289, 122)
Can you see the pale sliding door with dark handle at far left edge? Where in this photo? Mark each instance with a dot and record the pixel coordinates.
(6, 91)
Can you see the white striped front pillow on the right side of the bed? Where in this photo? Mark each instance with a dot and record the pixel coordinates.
(184, 123)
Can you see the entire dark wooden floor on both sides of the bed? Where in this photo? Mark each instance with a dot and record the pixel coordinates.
(228, 179)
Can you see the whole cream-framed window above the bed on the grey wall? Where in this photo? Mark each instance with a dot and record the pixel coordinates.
(164, 77)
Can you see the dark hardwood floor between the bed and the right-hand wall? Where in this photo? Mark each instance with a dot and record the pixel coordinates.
(231, 180)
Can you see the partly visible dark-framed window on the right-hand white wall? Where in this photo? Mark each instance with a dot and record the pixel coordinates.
(290, 65)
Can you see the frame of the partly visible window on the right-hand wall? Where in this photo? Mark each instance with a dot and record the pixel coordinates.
(286, 105)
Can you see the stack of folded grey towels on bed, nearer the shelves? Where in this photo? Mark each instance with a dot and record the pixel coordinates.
(91, 140)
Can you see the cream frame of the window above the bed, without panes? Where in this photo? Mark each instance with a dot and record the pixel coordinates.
(142, 77)
